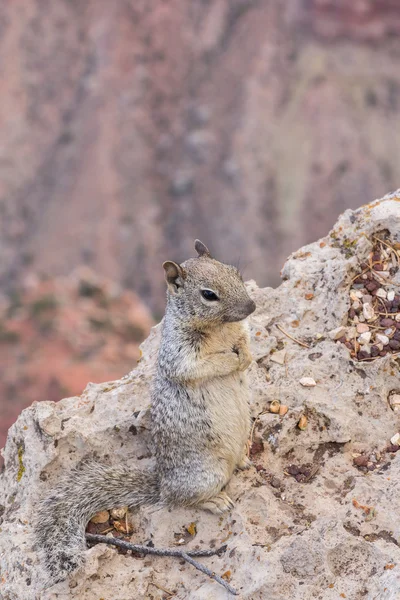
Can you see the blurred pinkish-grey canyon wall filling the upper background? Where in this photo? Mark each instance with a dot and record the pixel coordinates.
(130, 127)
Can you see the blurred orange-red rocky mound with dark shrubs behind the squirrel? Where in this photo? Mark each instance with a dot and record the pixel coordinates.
(58, 334)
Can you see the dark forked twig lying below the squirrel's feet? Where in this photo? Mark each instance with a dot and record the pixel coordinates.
(187, 556)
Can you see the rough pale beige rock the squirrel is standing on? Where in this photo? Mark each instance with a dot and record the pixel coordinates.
(312, 519)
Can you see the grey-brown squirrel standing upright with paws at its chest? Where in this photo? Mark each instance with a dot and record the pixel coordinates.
(200, 416)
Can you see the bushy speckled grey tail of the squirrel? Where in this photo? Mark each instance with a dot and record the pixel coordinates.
(59, 530)
